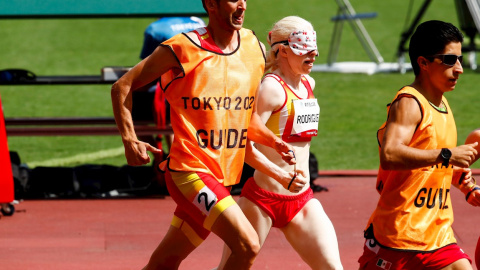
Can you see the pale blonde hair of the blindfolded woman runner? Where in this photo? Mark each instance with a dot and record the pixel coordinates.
(281, 30)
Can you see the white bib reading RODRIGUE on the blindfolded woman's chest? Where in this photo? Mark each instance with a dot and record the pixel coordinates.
(307, 114)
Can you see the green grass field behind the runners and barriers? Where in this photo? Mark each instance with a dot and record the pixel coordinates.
(353, 106)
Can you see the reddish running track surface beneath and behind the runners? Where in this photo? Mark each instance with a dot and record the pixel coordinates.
(121, 233)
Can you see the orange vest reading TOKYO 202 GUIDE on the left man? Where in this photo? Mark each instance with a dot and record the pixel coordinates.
(220, 93)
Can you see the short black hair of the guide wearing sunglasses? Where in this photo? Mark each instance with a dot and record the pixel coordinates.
(430, 38)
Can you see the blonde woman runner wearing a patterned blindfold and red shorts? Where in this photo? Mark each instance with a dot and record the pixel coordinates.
(287, 107)
